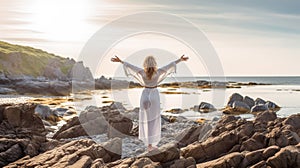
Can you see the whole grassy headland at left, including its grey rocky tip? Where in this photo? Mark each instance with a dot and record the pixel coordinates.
(17, 60)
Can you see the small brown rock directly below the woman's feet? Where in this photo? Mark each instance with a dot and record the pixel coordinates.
(163, 154)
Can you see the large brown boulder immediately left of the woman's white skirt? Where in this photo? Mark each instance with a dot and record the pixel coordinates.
(96, 120)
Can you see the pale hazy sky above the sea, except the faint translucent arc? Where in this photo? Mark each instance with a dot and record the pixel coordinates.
(251, 38)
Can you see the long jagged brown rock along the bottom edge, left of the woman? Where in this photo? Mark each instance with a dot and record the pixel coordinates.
(79, 153)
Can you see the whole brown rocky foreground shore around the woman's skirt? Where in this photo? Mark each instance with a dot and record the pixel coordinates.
(266, 141)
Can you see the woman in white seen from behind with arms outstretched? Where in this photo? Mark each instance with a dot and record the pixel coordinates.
(149, 77)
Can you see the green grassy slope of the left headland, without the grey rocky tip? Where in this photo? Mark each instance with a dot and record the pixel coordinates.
(24, 60)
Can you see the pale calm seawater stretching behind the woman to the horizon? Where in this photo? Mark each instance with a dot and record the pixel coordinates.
(282, 90)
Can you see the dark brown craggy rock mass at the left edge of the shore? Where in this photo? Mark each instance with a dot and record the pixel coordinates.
(21, 132)
